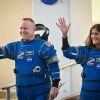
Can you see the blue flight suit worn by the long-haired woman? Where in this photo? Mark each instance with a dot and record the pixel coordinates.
(90, 61)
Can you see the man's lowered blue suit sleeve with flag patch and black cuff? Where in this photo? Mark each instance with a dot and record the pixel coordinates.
(48, 53)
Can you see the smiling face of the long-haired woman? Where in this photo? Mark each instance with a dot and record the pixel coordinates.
(95, 36)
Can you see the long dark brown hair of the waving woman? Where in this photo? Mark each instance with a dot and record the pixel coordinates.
(88, 41)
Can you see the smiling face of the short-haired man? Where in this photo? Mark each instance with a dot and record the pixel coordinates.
(27, 30)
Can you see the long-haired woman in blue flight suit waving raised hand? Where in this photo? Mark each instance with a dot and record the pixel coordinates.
(89, 58)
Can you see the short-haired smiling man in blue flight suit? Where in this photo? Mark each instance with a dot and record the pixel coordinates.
(36, 64)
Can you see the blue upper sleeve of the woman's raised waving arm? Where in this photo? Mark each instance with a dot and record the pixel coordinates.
(77, 53)
